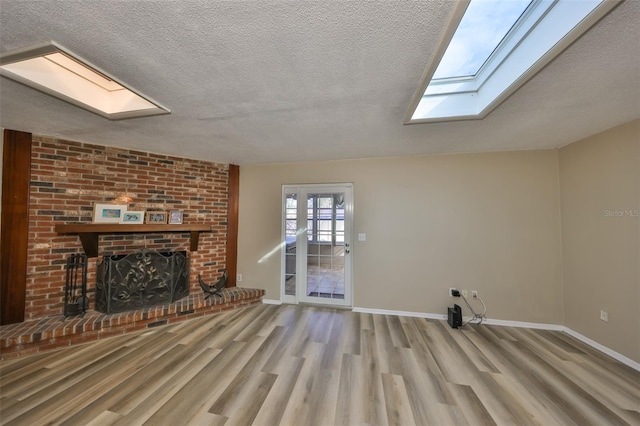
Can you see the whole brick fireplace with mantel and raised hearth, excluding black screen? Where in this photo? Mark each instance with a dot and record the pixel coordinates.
(66, 179)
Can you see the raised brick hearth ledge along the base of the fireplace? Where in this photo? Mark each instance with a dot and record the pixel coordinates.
(54, 332)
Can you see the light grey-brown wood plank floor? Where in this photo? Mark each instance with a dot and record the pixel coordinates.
(294, 365)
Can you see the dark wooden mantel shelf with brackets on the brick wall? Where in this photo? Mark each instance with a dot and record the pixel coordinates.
(89, 232)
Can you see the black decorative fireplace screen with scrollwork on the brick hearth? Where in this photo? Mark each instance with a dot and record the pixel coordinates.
(141, 279)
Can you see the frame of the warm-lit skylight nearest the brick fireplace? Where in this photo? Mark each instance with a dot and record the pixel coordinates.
(8, 59)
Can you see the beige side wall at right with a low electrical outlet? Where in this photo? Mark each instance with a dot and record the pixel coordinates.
(600, 193)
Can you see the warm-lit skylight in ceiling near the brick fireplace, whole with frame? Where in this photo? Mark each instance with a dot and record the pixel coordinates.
(53, 69)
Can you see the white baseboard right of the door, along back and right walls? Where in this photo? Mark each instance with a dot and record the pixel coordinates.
(521, 324)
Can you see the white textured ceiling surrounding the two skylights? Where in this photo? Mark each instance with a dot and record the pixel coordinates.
(278, 81)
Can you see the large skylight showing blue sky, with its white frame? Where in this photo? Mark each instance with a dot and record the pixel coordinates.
(494, 48)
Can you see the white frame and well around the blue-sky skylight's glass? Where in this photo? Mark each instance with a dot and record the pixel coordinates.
(468, 98)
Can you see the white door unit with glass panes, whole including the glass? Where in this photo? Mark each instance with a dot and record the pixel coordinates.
(316, 264)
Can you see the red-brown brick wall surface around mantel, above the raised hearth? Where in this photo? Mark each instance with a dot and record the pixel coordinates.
(68, 177)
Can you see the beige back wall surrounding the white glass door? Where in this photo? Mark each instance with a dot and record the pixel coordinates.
(486, 222)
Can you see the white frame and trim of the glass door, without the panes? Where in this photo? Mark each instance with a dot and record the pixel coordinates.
(301, 256)
